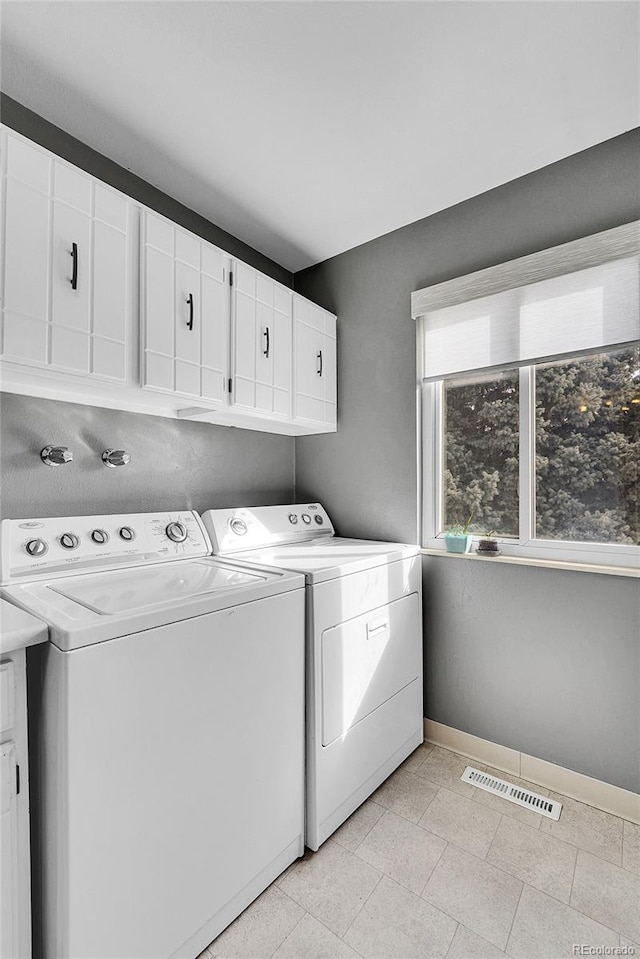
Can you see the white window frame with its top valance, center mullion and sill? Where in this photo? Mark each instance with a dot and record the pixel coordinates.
(612, 244)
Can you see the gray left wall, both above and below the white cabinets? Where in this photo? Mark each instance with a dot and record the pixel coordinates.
(174, 464)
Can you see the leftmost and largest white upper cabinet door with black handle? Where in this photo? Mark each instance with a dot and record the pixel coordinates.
(66, 270)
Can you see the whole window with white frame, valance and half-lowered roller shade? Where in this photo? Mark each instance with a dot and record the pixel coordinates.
(531, 404)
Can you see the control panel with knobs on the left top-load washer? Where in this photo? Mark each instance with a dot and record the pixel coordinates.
(62, 545)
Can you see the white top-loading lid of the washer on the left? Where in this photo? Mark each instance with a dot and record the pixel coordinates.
(124, 592)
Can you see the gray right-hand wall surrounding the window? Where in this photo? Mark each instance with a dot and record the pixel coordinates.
(501, 638)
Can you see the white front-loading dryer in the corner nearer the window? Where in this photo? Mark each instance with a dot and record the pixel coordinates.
(364, 710)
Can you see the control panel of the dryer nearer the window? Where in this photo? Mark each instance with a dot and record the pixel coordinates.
(233, 530)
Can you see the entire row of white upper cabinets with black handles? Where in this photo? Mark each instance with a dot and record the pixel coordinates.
(106, 303)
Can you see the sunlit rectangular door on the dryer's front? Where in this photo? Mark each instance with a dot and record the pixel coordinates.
(366, 661)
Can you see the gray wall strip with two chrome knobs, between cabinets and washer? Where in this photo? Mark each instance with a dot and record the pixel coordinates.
(174, 464)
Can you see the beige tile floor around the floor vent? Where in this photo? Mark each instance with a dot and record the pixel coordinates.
(432, 867)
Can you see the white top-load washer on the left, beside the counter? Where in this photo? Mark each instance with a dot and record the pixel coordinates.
(166, 714)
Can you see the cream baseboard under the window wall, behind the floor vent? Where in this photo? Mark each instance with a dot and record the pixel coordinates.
(593, 792)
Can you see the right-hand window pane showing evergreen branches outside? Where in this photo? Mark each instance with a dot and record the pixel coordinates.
(587, 449)
